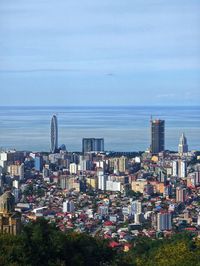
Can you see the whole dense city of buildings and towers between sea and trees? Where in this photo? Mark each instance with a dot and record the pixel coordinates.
(117, 196)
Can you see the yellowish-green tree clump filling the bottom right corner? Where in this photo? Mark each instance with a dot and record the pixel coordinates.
(180, 250)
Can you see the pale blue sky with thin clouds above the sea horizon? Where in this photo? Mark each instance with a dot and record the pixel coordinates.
(108, 52)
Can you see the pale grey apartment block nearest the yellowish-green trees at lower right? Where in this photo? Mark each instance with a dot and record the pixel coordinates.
(164, 221)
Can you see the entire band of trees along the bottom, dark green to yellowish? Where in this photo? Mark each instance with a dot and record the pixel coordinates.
(43, 244)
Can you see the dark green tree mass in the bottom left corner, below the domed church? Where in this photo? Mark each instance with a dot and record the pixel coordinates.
(43, 244)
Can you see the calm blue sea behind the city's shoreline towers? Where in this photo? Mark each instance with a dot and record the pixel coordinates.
(123, 128)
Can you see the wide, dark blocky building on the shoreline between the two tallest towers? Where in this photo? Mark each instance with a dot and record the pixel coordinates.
(92, 144)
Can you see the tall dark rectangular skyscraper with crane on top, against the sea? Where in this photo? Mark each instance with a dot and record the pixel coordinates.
(157, 136)
